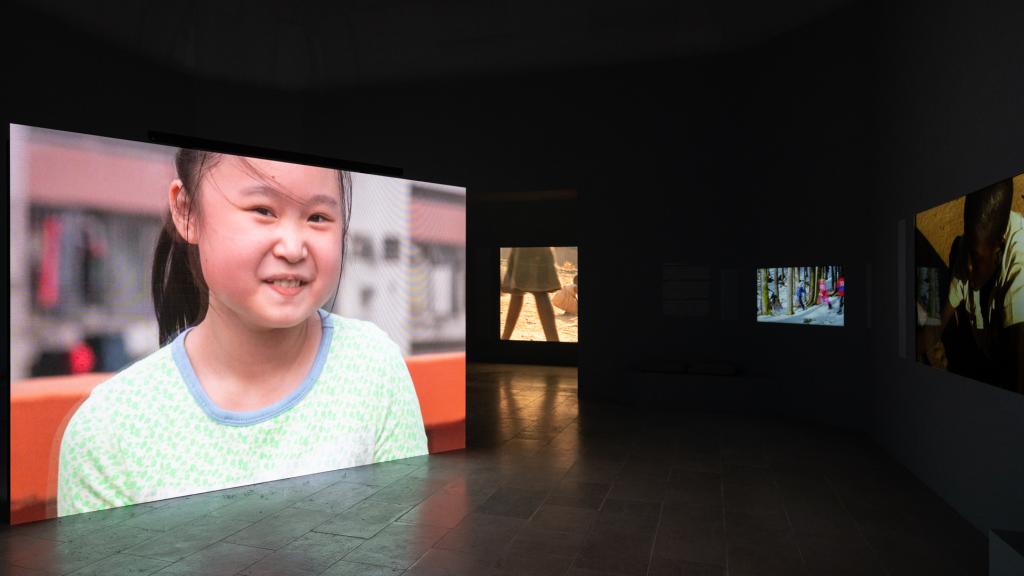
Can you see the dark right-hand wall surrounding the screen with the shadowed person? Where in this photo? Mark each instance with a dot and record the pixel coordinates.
(951, 101)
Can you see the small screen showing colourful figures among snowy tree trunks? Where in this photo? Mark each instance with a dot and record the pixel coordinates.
(814, 296)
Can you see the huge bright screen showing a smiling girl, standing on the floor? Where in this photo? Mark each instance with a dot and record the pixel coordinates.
(289, 343)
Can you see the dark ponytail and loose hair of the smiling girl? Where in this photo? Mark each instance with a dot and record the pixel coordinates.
(181, 296)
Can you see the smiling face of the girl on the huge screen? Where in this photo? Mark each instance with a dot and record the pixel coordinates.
(270, 237)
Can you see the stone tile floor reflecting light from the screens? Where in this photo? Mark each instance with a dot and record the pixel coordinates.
(547, 487)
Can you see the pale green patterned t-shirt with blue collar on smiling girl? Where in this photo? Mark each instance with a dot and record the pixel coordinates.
(152, 433)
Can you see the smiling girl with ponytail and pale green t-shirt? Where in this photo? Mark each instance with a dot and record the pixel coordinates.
(254, 382)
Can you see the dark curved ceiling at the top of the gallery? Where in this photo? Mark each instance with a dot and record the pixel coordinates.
(300, 45)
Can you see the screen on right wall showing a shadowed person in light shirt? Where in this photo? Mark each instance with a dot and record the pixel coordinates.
(969, 259)
